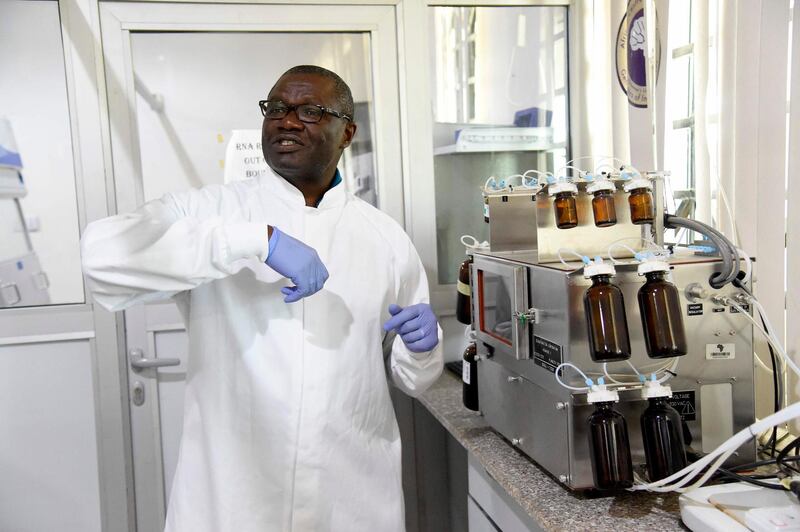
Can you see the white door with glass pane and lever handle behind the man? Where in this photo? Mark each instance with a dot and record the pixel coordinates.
(180, 78)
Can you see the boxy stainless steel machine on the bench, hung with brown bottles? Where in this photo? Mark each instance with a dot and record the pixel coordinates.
(527, 314)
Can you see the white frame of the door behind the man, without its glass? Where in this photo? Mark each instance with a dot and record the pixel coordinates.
(125, 185)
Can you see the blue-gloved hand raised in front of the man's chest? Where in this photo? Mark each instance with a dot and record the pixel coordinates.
(298, 262)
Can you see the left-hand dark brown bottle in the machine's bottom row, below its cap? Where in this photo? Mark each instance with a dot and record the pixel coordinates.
(609, 448)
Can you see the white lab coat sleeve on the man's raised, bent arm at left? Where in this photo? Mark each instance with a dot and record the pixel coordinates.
(163, 248)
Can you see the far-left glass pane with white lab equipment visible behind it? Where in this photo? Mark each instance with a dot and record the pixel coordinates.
(33, 99)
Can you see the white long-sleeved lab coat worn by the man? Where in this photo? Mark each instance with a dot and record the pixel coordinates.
(288, 423)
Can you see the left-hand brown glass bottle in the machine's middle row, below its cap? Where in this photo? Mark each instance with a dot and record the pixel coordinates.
(608, 325)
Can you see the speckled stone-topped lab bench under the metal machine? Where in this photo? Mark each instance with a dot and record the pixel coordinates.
(510, 492)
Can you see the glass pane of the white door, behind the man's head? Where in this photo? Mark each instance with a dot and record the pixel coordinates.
(194, 89)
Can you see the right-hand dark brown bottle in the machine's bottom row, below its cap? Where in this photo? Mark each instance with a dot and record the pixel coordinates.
(662, 435)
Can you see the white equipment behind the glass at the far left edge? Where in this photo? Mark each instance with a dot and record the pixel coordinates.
(22, 281)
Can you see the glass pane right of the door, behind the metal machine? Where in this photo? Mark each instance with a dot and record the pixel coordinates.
(500, 108)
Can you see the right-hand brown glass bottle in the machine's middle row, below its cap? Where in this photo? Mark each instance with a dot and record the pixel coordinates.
(662, 319)
